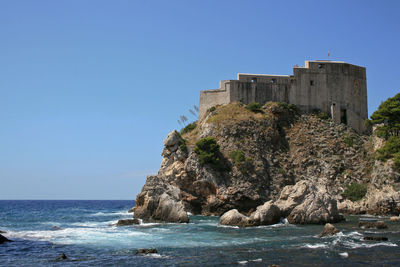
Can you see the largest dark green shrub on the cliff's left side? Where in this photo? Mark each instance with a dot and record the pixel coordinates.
(208, 152)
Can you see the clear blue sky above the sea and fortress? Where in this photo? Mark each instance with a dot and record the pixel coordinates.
(89, 89)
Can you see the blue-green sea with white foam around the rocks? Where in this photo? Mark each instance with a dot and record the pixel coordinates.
(85, 231)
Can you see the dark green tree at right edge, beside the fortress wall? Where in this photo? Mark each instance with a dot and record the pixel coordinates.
(387, 117)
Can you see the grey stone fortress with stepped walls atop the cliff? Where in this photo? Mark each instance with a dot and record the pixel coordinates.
(333, 87)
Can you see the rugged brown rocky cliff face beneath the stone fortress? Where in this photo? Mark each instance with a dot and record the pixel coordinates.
(276, 147)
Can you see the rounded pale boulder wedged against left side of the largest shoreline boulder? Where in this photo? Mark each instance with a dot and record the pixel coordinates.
(265, 214)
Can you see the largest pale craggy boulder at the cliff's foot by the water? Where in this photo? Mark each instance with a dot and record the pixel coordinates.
(308, 203)
